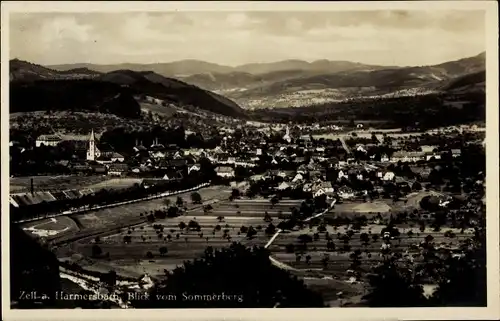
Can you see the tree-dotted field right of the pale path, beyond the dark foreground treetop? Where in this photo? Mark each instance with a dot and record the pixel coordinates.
(334, 278)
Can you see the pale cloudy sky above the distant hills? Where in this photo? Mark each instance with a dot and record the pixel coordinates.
(403, 38)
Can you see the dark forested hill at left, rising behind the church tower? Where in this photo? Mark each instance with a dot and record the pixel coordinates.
(35, 87)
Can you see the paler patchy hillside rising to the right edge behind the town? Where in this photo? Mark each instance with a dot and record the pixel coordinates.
(309, 89)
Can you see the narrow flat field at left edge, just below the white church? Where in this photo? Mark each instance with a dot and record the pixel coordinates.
(63, 182)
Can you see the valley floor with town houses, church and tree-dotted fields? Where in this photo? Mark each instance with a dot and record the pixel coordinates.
(363, 188)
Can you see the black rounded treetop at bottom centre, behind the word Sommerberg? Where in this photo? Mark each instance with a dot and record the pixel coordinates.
(223, 269)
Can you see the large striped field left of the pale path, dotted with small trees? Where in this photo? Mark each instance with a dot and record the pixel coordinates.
(130, 259)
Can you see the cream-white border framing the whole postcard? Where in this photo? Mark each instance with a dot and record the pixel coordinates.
(492, 179)
